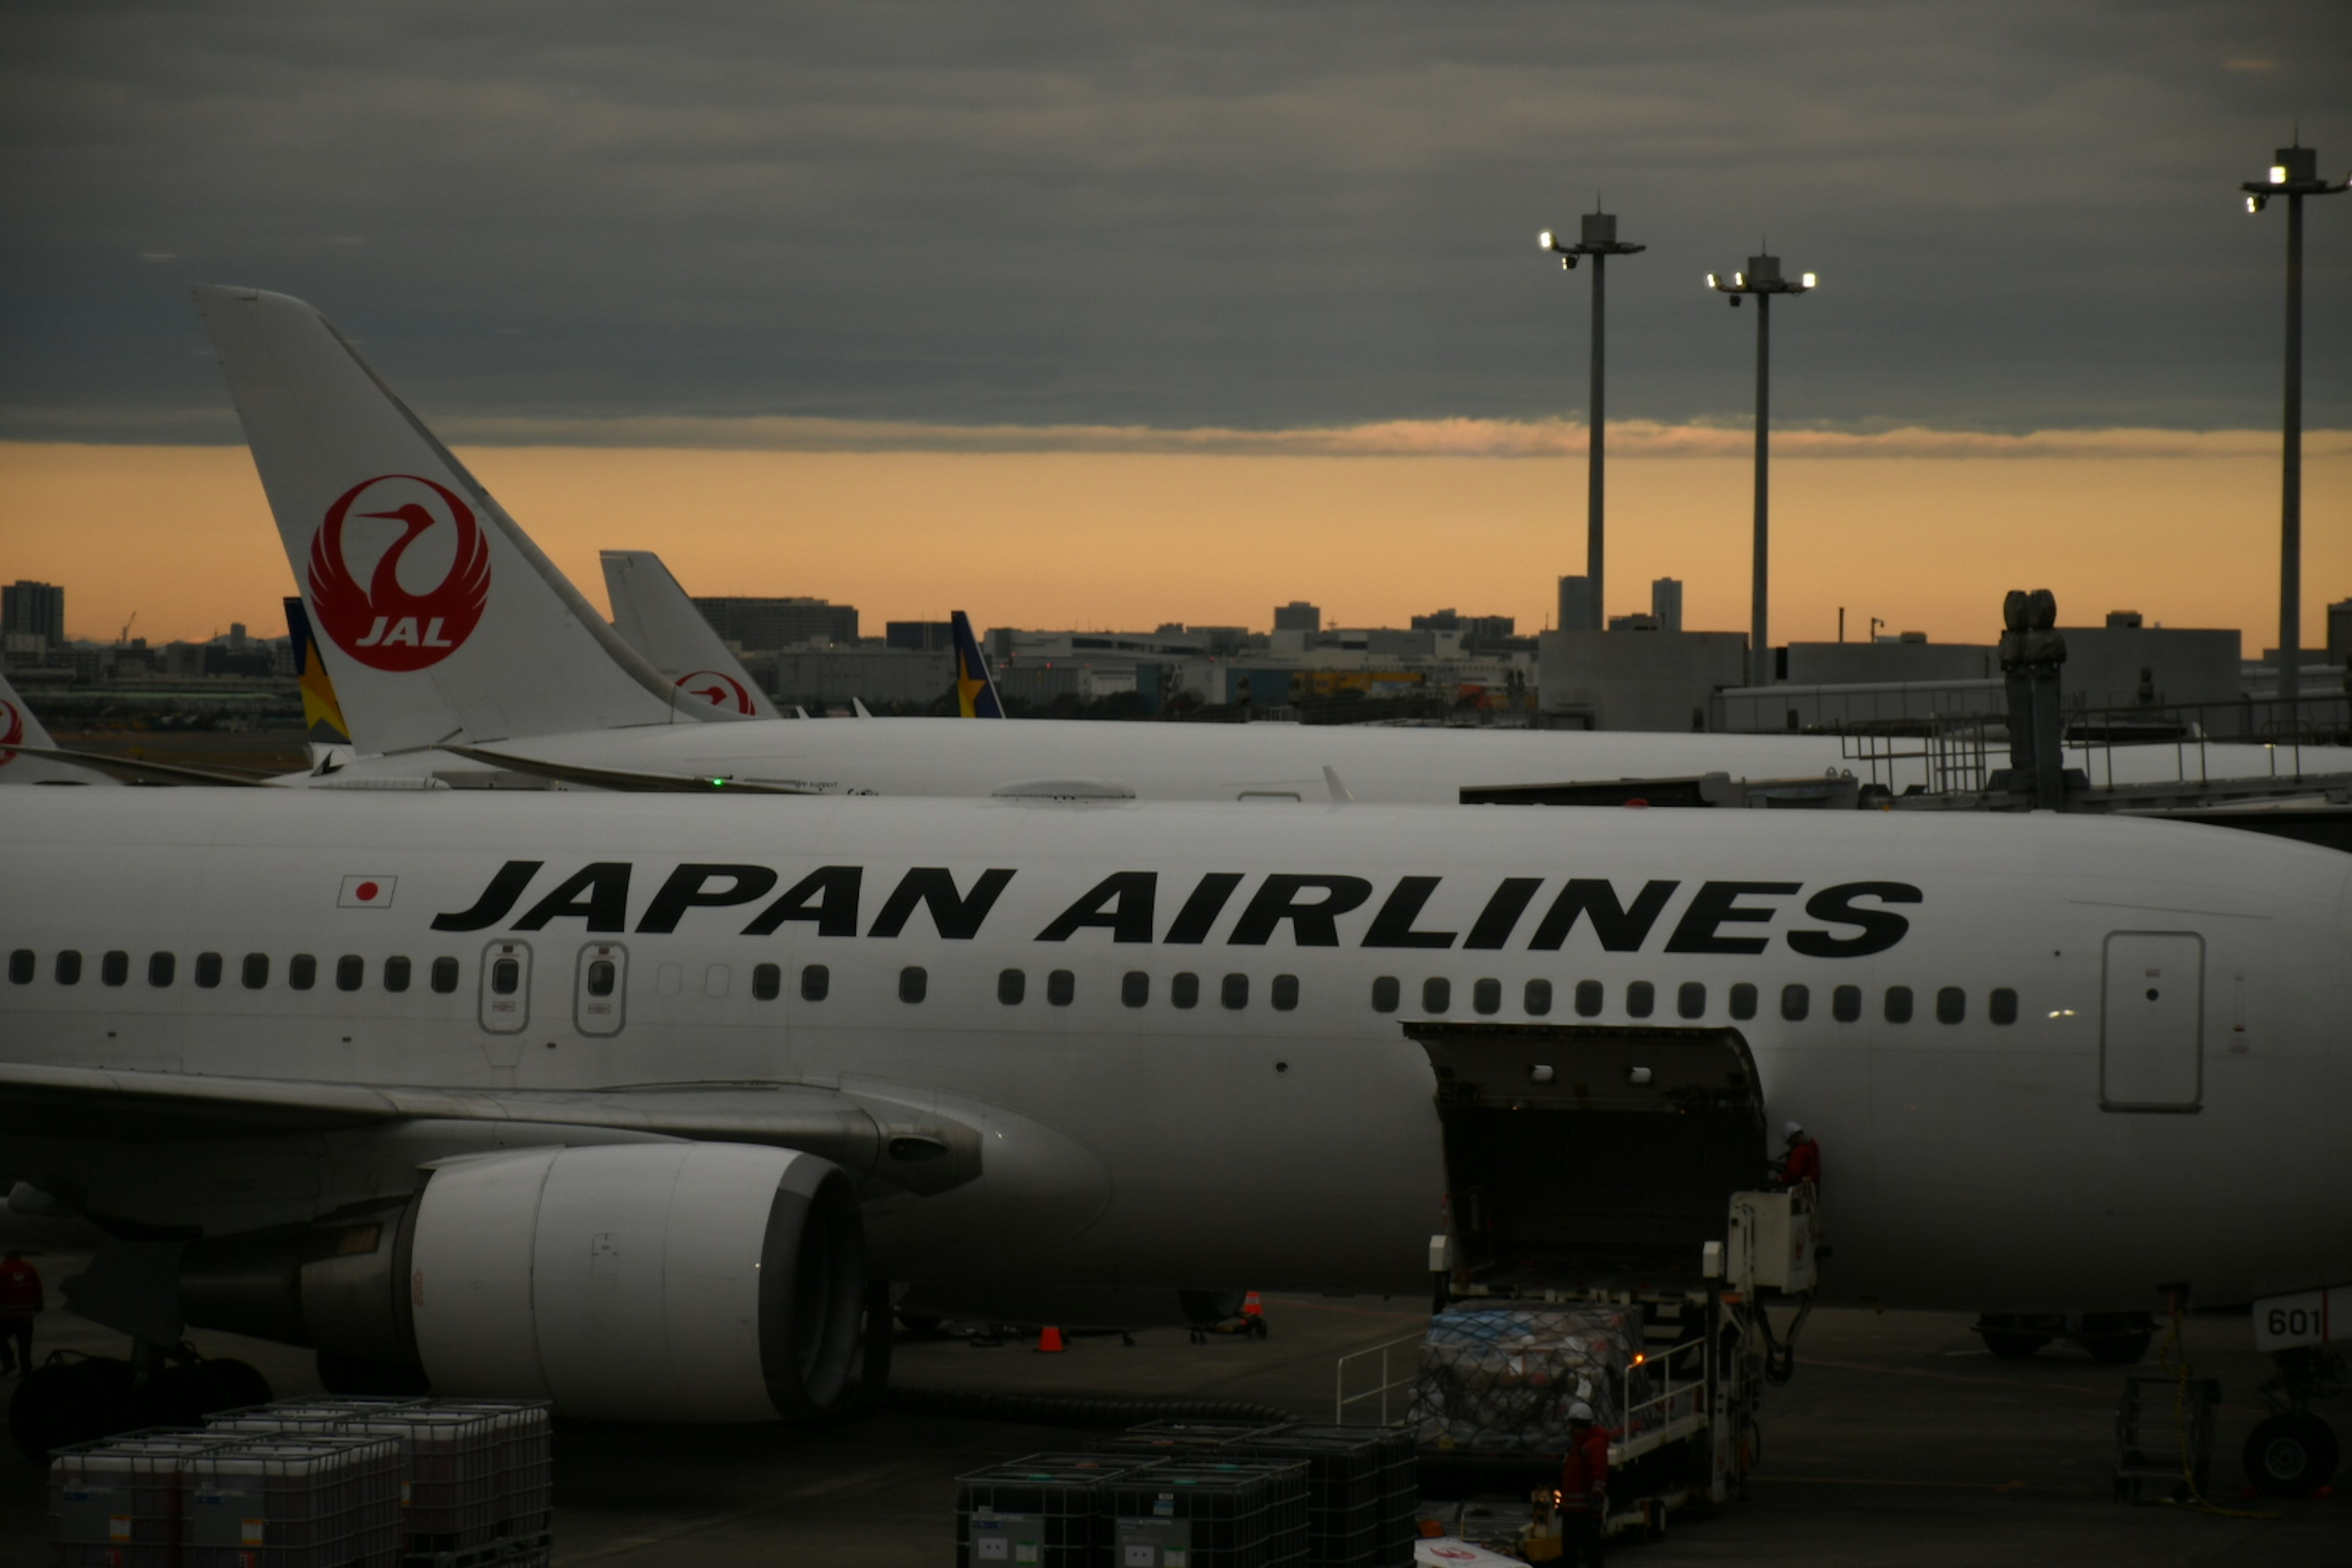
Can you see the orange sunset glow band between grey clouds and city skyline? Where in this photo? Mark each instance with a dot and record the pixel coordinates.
(1123, 540)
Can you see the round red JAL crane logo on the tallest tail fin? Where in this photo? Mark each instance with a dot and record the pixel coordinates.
(382, 624)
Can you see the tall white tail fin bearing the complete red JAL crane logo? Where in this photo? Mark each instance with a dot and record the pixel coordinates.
(436, 615)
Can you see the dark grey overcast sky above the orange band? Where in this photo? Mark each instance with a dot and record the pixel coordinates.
(1170, 215)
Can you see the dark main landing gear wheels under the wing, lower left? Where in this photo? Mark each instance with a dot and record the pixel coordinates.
(79, 1400)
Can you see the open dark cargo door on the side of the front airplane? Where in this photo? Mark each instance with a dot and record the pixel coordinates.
(1591, 1153)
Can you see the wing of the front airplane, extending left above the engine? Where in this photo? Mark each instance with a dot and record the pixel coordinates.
(860, 1132)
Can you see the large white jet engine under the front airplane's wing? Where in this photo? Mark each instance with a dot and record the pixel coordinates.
(693, 1282)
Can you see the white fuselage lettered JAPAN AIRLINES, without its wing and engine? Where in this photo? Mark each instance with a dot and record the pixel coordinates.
(1149, 1144)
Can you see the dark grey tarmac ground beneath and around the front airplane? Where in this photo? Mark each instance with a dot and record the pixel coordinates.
(1899, 1442)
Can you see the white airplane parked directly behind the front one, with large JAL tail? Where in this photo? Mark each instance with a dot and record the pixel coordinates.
(500, 669)
